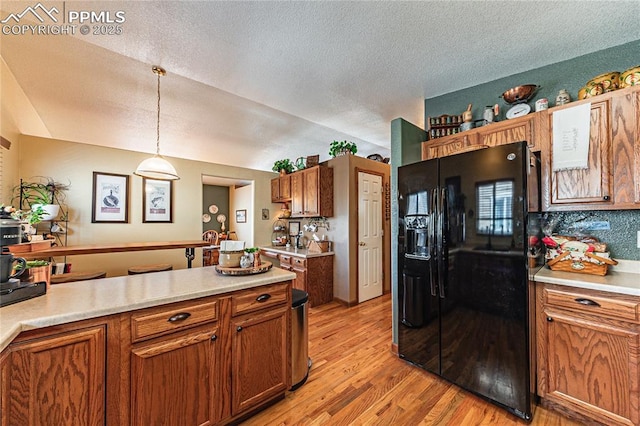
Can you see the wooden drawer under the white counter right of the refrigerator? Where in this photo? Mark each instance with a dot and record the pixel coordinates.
(612, 306)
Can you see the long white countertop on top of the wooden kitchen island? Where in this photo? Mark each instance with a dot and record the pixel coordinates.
(82, 300)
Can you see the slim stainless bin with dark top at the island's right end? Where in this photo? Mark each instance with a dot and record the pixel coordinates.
(300, 361)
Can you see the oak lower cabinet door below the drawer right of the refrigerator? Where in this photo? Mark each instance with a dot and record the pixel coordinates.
(590, 366)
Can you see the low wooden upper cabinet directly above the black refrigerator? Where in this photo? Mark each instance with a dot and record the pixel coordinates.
(504, 132)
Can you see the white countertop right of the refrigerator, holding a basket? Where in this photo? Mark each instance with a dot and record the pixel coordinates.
(623, 278)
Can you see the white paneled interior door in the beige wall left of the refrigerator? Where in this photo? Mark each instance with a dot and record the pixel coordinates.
(369, 236)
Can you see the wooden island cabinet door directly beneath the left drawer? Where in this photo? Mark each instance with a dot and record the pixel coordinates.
(174, 380)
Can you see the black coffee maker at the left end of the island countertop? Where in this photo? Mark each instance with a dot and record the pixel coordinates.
(12, 289)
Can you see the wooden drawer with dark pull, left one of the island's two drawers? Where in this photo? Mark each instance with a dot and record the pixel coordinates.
(164, 320)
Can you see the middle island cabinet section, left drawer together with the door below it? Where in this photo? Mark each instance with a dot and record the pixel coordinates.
(175, 370)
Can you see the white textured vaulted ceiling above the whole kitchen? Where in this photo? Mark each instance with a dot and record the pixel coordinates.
(252, 82)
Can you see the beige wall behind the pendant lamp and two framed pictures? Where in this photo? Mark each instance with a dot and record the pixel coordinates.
(74, 163)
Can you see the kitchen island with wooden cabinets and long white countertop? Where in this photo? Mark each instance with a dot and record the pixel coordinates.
(186, 346)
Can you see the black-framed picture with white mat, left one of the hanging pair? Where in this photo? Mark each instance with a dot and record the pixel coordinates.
(110, 198)
